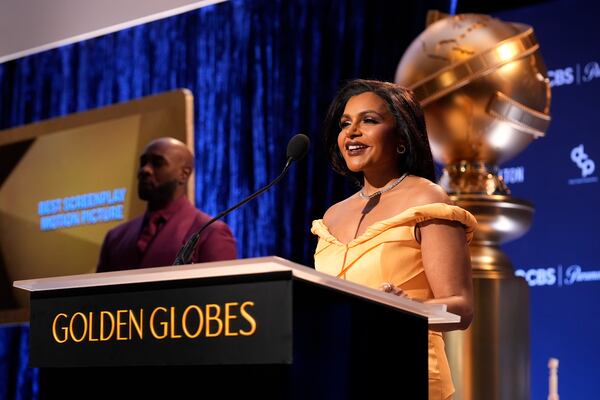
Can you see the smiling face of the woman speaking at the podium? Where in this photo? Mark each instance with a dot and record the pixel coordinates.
(367, 140)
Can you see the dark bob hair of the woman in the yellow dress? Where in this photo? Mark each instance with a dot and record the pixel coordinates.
(410, 127)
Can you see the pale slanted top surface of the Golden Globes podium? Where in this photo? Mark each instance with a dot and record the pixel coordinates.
(435, 313)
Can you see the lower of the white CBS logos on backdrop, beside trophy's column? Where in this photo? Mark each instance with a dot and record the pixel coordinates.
(558, 276)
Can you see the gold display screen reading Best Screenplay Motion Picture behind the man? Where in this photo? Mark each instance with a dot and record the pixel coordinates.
(65, 182)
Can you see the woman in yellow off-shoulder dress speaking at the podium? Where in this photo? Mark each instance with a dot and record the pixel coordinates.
(399, 233)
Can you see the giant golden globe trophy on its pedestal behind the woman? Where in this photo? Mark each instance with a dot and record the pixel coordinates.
(485, 93)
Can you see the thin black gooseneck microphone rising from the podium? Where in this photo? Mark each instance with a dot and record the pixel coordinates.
(296, 150)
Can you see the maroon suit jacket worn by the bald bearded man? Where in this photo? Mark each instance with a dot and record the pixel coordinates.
(119, 250)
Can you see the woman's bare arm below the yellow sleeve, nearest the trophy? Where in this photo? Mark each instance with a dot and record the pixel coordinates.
(448, 269)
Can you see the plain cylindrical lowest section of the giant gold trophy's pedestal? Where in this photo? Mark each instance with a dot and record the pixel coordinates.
(490, 360)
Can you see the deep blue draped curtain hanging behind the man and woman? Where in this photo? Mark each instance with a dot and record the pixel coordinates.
(260, 71)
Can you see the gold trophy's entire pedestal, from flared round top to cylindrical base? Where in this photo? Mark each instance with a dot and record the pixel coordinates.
(490, 360)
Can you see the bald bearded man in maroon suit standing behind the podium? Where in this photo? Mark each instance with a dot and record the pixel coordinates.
(154, 238)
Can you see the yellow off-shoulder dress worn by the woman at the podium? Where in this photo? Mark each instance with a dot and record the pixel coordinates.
(388, 252)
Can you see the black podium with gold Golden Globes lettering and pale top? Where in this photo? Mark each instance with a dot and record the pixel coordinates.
(254, 328)
